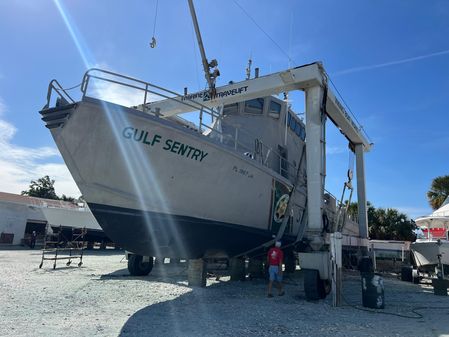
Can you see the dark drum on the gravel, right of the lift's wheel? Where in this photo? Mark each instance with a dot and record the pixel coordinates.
(373, 295)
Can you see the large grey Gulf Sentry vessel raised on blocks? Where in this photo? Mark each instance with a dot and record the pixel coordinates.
(161, 186)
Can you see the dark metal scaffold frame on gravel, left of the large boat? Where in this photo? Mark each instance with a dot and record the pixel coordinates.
(64, 244)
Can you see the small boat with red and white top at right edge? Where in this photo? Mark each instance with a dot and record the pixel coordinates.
(432, 245)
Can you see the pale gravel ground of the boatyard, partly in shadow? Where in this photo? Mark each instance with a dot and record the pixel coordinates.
(100, 299)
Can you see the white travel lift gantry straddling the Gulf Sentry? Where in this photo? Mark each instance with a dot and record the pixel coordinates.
(324, 261)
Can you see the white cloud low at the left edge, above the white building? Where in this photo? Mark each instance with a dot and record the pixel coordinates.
(19, 165)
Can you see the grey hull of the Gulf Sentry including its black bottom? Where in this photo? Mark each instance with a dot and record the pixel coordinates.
(160, 189)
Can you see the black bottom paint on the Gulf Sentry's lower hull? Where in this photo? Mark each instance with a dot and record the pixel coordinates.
(157, 234)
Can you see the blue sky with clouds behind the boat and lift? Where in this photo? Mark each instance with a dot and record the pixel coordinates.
(388, 58)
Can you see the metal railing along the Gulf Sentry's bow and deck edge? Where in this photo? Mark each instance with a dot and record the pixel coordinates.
(96, 82)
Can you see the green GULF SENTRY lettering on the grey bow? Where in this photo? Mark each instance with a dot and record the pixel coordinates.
(142, 136)
